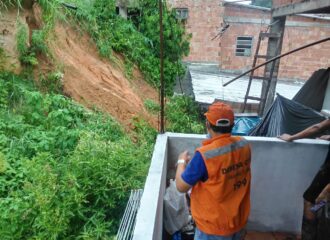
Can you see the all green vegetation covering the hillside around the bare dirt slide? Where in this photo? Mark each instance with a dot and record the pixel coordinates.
(65, 171)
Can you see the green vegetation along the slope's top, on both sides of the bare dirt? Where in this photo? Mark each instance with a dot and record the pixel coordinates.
(137, 41)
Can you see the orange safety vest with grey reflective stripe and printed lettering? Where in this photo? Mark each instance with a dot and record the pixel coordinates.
(221, 204)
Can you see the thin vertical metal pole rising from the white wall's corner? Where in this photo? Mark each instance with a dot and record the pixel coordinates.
(162, 92)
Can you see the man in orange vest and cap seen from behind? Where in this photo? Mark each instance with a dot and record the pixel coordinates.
(219, 174)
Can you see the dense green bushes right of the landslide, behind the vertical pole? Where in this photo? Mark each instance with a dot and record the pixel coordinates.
(139, 44)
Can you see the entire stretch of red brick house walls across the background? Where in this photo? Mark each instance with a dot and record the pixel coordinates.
(204, 22)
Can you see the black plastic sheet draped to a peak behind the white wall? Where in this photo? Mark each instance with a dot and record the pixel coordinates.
(286, 116)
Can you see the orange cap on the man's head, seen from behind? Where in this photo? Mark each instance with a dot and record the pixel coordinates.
(220, 114)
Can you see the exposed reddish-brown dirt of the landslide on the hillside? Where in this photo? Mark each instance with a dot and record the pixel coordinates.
(89, 79)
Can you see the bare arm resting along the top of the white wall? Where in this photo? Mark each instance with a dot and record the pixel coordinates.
(308, 132)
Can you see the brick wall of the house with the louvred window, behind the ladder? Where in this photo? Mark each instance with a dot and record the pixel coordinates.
(298, 31)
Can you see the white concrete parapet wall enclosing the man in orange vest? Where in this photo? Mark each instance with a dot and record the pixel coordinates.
(280, 173)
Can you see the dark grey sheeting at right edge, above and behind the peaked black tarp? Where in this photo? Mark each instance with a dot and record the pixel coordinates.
(313, 92)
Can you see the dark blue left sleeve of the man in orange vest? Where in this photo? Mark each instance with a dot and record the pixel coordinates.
(195, 170)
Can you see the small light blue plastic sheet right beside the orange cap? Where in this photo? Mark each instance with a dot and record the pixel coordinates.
(244, 125)
